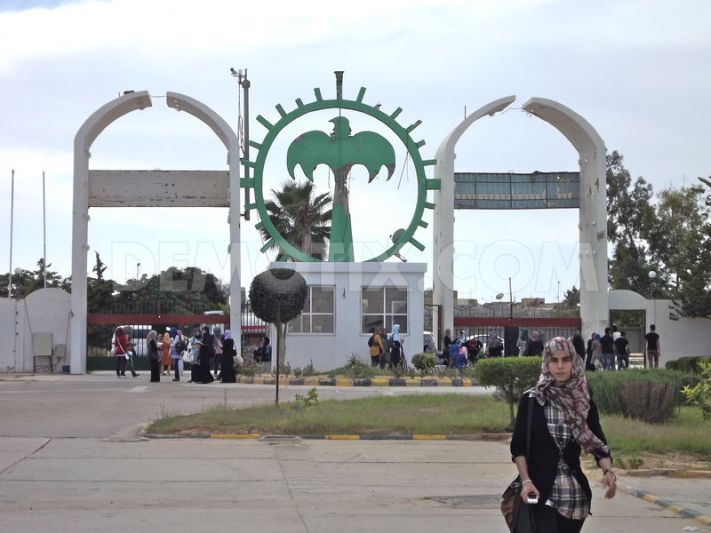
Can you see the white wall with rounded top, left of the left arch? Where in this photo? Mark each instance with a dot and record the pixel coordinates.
(43, 311)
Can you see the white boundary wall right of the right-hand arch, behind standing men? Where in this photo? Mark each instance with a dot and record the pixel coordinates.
(679, 338)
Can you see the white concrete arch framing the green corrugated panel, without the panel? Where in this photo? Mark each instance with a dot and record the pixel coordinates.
(594, 308)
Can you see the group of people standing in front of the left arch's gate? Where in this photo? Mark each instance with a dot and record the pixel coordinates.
(206, 353)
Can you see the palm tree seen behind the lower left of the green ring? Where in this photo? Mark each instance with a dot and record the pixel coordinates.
(300, 218)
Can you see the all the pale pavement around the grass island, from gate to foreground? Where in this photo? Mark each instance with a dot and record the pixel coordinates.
(71, 460)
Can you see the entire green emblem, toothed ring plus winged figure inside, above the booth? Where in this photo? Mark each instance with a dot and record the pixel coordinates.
(340, 151)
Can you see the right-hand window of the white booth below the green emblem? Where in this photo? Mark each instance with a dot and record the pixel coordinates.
(382, 307)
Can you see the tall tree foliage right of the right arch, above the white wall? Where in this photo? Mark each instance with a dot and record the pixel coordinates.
(668, 233)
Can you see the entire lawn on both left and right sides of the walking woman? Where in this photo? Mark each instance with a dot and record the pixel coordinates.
(448, 414)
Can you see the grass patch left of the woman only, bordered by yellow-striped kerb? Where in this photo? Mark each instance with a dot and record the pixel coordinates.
(433, 414)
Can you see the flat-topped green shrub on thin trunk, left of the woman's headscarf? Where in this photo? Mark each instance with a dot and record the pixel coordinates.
(513, 376)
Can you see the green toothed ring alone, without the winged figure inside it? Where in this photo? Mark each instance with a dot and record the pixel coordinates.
(423, 183)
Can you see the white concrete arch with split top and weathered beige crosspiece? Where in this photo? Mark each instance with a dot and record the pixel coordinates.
(85, 137)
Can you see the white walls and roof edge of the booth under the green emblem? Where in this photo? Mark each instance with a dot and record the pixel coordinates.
(330, 351)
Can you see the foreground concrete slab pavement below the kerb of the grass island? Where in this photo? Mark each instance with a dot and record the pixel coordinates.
(282, 485)
